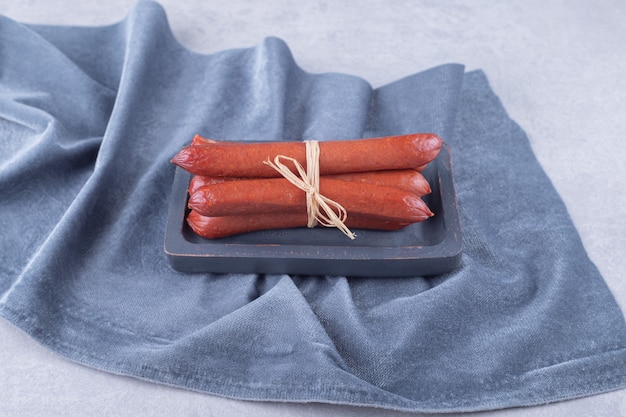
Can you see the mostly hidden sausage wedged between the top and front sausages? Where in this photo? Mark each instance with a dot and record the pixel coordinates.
(404, 179)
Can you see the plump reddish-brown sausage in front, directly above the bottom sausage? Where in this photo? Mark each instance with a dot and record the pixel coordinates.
(259, 196)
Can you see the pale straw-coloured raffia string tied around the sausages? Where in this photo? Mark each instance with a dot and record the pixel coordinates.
(320, 209)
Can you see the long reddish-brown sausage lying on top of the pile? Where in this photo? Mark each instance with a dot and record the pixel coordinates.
(233, 159)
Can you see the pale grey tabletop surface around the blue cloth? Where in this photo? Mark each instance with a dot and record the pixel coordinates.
(557, 65)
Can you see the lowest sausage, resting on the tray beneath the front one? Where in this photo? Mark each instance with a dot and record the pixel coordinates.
(219, 227)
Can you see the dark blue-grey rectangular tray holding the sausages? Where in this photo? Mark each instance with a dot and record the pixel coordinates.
(431, 247)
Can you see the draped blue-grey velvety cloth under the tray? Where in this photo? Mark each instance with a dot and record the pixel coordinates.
(89, 119)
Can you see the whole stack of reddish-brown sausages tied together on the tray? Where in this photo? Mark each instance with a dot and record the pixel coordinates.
(378, 182)
